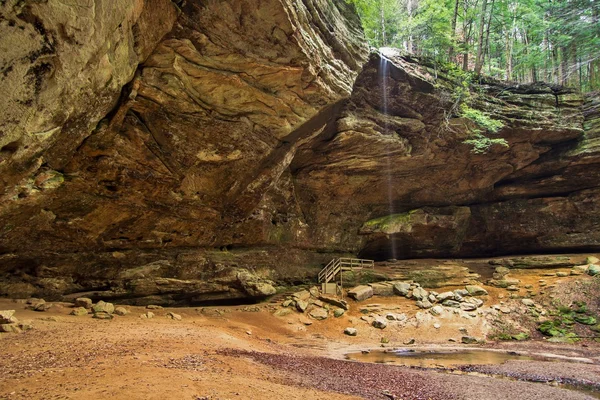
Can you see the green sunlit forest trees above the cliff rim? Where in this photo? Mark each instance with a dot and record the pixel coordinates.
(556, 41)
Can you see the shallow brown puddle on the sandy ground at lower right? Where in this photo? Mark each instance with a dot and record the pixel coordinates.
(437, 358)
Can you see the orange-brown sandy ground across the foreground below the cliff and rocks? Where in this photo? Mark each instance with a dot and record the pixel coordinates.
(228, 353)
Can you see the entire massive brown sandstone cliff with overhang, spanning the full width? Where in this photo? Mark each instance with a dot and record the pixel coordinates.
(197, 151)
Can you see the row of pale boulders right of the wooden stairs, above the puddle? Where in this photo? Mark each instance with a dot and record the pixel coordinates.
(464, 299)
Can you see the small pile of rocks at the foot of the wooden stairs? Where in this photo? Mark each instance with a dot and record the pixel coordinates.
(316, 305)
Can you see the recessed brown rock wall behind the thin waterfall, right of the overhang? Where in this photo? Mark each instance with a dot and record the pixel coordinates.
(418, 190)
